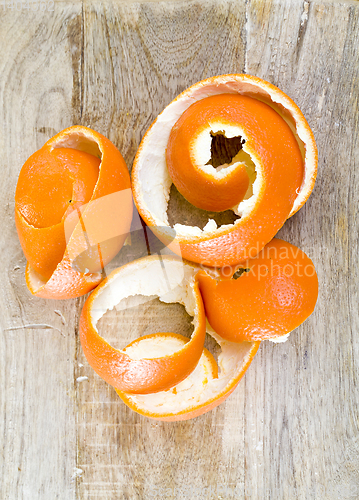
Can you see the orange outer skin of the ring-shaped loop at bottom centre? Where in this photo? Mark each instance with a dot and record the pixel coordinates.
(139, 376)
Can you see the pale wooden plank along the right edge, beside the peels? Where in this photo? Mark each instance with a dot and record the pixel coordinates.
(312, 415)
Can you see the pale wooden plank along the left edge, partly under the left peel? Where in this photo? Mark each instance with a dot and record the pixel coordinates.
(37, 399)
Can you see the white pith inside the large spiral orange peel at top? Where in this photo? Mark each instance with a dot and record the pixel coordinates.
(153, 180)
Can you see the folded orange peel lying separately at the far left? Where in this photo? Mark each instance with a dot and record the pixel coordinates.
(73, 210)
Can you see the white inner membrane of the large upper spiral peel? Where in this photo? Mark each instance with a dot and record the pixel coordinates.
(152, 169)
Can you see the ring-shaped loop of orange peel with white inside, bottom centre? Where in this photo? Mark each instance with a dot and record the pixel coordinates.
(171, 281)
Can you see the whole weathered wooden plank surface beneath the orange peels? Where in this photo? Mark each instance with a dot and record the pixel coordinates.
(290, 430)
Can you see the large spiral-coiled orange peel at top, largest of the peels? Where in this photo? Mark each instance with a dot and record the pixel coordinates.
(268, 181)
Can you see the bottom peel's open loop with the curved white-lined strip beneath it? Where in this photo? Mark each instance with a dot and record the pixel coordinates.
(164, 375)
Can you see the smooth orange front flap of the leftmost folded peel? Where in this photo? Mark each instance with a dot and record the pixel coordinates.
(51, 184)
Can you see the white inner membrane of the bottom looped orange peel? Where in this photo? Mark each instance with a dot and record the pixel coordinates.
(172, 281)
